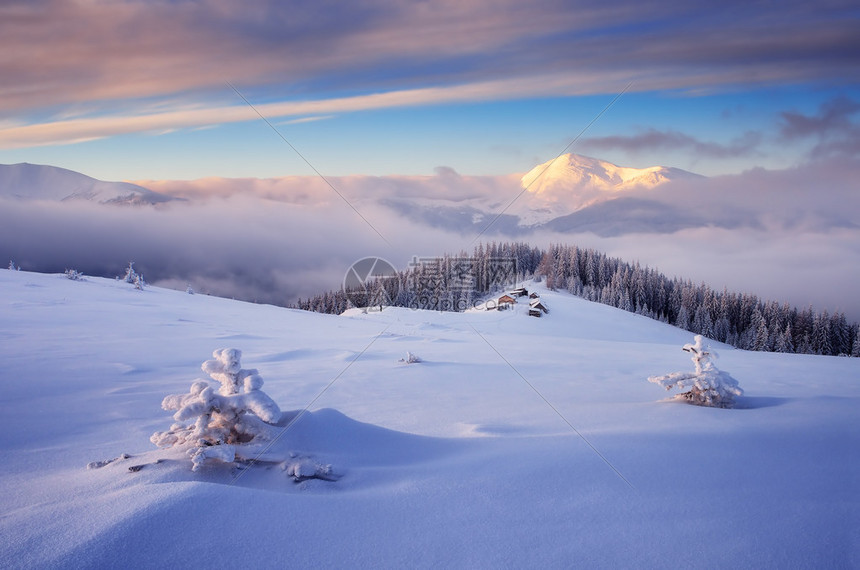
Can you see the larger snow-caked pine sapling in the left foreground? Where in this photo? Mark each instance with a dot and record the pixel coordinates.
(238, 414)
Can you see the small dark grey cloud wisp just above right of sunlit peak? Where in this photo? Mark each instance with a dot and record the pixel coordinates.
(656, 140)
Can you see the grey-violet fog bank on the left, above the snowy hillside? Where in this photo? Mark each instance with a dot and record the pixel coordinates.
(239, 246)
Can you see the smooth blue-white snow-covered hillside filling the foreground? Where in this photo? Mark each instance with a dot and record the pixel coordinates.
(515, 442)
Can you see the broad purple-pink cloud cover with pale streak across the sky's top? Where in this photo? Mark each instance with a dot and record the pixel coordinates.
(78, 71)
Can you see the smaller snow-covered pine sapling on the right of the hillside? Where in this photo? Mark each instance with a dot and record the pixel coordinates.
(706, 386)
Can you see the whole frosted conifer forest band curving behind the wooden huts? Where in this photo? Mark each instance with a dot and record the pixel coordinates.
(457, 282)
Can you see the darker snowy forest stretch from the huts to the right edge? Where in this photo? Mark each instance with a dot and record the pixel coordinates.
(738, 319)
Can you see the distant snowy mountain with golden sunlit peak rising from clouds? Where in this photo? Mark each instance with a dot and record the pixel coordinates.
(554, 195)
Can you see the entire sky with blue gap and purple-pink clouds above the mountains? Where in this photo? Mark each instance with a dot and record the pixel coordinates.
(133, 90)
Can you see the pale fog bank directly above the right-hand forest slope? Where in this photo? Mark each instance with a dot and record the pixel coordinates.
(801, 268)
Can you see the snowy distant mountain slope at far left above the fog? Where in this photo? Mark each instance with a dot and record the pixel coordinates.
(39, 182)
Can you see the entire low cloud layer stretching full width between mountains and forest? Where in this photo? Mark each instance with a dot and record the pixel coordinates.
(786, 235)
